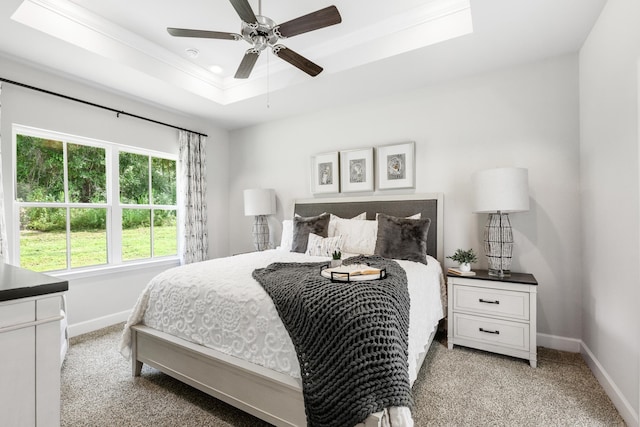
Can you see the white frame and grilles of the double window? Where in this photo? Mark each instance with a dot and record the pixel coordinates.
(113, 205)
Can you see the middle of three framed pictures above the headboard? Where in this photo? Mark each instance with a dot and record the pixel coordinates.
(356, 170)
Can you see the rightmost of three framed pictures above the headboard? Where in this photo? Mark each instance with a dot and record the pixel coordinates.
(396, 166)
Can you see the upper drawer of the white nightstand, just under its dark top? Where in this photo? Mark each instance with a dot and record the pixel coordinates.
(493, 302)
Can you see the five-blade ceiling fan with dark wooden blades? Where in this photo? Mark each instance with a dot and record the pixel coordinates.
(262, 32)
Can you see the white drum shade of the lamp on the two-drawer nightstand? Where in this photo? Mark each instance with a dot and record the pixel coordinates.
(502, 189)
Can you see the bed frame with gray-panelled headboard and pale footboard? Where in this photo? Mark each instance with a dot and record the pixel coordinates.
(272, 396)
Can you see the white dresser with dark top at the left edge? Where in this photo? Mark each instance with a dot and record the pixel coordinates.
(30, 341)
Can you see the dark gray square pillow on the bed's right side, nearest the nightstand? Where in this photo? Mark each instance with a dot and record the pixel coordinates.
(402, 238)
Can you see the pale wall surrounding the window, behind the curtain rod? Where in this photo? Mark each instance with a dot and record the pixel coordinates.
(100, 300)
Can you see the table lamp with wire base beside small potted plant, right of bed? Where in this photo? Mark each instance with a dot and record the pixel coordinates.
(499, 192)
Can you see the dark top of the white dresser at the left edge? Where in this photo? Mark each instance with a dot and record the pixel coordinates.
(16, 283)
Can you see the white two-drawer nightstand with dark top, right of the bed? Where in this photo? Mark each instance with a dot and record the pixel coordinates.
(493, 314)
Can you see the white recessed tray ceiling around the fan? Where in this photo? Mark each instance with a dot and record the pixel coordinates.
(379, 48)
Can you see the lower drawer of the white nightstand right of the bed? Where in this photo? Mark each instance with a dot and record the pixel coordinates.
(491, 331)
